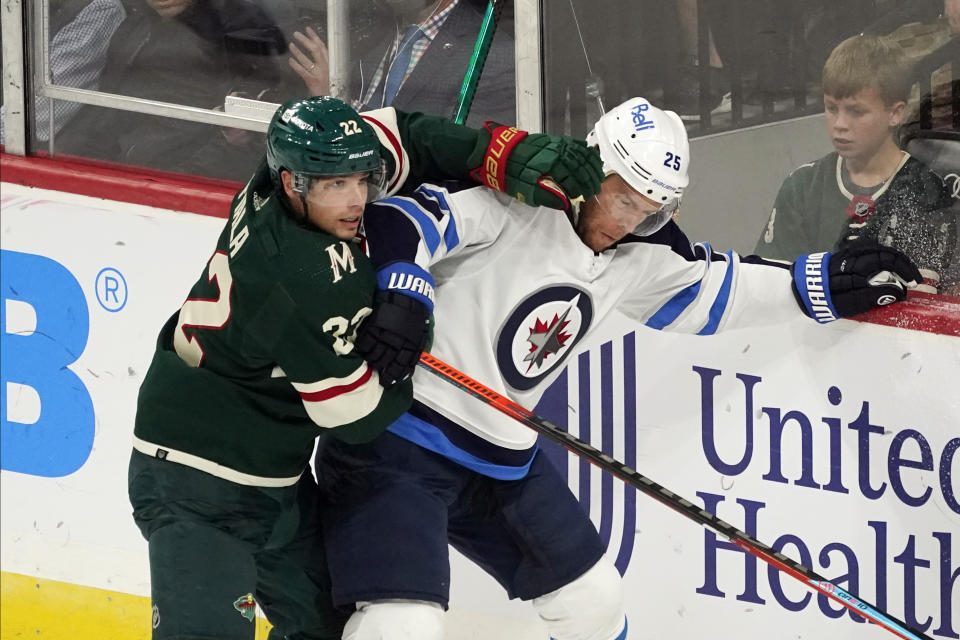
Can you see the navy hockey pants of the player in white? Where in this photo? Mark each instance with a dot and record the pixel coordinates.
(391, 507)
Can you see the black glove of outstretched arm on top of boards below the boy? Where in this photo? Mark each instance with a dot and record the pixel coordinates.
(851, 281)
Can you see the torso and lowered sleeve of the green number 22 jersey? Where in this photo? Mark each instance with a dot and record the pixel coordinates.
(261, 353)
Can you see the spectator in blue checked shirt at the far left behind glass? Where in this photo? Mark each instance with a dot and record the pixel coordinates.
(81, 32)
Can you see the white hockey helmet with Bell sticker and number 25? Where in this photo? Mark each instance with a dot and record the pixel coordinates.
(649, 149)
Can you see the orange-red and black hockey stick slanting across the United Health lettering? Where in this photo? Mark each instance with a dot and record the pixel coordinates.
(667, 497)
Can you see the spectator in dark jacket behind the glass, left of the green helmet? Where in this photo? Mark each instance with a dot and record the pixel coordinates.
(187, 52)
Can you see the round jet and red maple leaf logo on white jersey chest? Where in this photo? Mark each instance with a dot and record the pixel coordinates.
(540, 332)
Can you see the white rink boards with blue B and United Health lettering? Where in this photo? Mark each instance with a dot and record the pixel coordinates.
(836, 443)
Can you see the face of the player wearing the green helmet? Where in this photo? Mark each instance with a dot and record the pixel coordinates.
(333, 204)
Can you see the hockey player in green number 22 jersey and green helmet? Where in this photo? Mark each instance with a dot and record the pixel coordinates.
(260, 359)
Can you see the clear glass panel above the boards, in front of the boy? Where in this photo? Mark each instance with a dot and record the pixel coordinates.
(779, 184)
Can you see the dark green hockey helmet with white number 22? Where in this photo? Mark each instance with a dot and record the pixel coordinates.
(322, 137)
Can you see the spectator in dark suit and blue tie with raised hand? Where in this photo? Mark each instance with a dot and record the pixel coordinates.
(422, 67)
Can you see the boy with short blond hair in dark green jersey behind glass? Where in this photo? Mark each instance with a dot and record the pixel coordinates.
(868, 189)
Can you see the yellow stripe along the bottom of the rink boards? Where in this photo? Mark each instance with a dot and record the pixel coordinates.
(35, 607)
